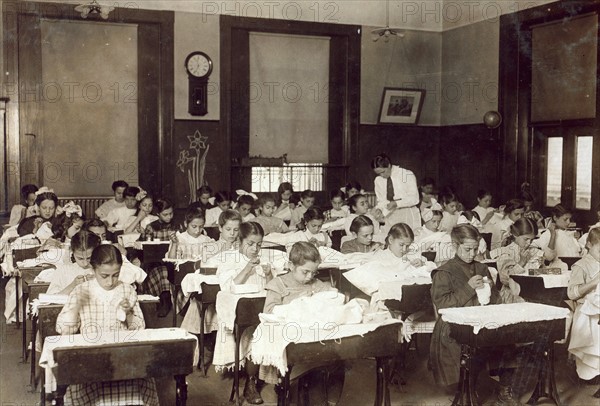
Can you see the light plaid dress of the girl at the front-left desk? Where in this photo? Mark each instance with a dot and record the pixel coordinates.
(97, 315)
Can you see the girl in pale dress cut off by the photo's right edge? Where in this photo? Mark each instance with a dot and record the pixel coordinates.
(585, 330)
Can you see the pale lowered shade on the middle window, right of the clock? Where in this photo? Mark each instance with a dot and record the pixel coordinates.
(289, 113)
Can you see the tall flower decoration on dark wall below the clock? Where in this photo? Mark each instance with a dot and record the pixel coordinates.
(197, 156)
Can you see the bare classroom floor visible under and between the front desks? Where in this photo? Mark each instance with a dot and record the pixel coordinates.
(359, 388)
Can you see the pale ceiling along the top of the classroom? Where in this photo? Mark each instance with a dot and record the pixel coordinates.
(427, 15)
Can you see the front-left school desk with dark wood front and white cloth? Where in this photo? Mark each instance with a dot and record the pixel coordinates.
(149, 353)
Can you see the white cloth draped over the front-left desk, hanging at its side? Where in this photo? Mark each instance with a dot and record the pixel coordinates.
(81, 341)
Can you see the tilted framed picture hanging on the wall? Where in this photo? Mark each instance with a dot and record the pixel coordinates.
(401, 106)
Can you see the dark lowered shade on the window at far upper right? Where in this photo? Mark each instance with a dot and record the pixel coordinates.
(564, 56)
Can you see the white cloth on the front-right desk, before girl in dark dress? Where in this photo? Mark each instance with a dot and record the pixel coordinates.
(495, 316)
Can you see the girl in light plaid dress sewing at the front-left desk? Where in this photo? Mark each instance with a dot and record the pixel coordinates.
(100, 306)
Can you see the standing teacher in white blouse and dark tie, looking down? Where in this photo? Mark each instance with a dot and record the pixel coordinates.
(397, 193)
